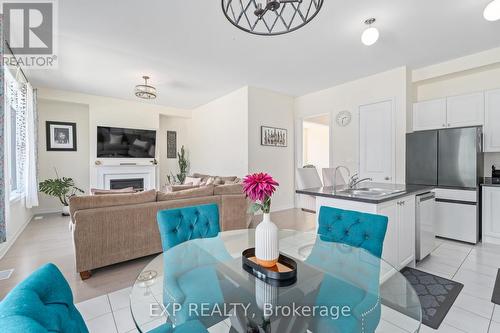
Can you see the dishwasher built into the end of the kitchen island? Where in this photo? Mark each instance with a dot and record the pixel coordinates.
(425, 229)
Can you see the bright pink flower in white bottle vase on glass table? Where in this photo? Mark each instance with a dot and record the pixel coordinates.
(260, 187)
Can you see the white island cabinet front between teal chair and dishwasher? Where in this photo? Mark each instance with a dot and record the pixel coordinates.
(399, 244)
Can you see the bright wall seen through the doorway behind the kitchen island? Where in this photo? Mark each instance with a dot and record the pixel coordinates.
(316, 143)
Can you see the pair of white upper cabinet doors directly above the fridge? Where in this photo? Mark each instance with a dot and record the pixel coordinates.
(456, 111)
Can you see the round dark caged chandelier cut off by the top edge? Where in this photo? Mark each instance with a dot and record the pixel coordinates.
(270, 17)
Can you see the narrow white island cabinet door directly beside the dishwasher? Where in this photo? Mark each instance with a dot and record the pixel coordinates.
(406, 232)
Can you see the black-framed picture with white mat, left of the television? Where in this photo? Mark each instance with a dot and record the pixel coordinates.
(60, 136)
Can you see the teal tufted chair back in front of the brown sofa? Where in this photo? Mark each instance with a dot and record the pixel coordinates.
(182, 224)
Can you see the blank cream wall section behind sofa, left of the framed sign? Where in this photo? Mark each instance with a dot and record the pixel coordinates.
(219, 136)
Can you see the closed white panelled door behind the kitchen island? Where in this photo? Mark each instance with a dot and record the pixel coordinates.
(376, 138)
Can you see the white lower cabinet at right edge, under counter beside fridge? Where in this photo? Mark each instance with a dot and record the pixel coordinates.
(491, 214)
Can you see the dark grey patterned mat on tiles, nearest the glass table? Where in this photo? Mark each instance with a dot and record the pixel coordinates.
(436, 295)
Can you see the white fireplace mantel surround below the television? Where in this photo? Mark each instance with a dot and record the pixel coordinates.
(106, 173)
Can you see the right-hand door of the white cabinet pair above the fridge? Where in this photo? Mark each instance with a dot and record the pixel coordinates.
(465, 110)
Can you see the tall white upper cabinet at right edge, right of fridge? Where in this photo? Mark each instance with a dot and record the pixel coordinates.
(492, 121)
